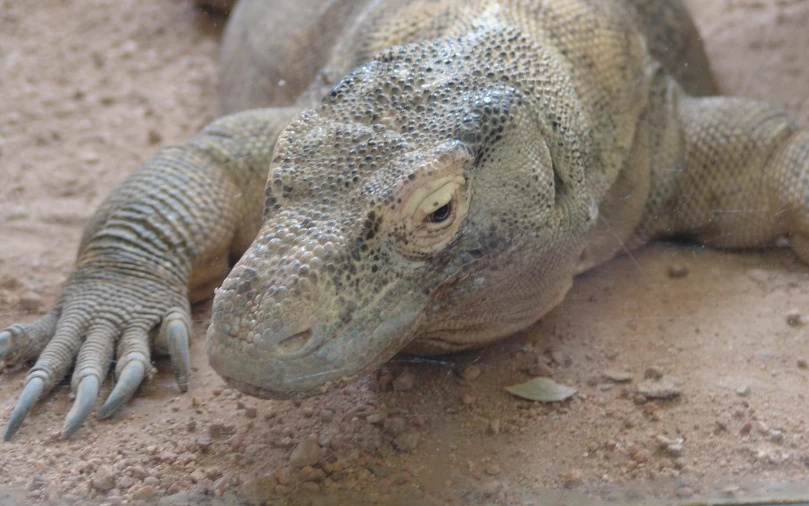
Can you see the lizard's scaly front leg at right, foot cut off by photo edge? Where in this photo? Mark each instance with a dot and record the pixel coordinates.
(744, 179)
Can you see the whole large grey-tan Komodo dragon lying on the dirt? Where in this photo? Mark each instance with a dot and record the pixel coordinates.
(437, 172)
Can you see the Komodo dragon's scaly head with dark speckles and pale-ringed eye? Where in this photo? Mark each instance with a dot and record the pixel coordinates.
(434, 201)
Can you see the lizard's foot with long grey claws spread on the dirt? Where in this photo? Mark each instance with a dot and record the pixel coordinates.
(90, 323)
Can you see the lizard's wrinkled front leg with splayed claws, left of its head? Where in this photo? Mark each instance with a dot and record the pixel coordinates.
(167, 231)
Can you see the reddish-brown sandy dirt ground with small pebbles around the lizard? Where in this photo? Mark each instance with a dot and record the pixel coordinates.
(90, 88)
